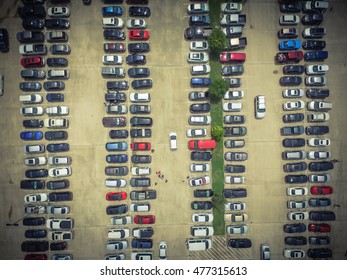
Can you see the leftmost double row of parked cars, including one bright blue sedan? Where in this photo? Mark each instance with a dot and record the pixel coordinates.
(58, 229)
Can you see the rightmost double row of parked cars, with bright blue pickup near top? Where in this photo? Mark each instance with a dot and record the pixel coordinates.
(290, 56)
